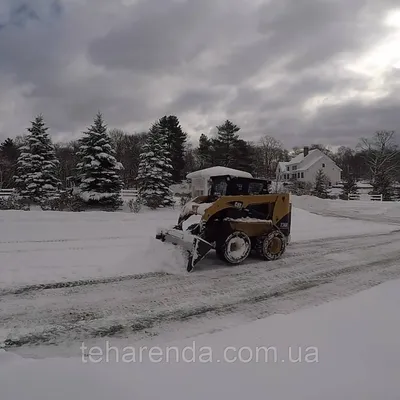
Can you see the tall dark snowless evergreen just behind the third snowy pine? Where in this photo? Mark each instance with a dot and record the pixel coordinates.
(175, 141)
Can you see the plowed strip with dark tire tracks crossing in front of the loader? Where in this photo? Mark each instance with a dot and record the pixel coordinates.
(129, 307)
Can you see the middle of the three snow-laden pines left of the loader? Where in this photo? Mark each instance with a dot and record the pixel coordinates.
(98, 169)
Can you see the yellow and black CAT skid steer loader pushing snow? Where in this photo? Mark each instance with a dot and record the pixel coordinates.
(239, 215)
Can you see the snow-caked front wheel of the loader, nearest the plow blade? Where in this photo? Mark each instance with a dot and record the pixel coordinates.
(235, 248)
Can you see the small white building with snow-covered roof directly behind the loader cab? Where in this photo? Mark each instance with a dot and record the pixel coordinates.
(199, 180)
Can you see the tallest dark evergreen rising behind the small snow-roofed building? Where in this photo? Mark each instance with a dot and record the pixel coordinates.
(225, 144)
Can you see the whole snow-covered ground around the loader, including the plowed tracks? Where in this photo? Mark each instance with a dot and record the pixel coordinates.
(98, 277)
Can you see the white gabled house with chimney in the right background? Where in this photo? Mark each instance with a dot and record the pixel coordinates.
(305, 166)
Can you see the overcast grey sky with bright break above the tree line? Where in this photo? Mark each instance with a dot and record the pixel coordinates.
(303, 71)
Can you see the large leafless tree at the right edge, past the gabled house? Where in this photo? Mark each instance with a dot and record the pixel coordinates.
(382, 157)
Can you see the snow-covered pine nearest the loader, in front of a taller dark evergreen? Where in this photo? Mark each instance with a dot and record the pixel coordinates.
(155, 170)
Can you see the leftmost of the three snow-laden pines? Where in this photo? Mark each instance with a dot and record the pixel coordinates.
(37, 165)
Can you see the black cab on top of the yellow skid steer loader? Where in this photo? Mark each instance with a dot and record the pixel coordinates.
(227, 185)
